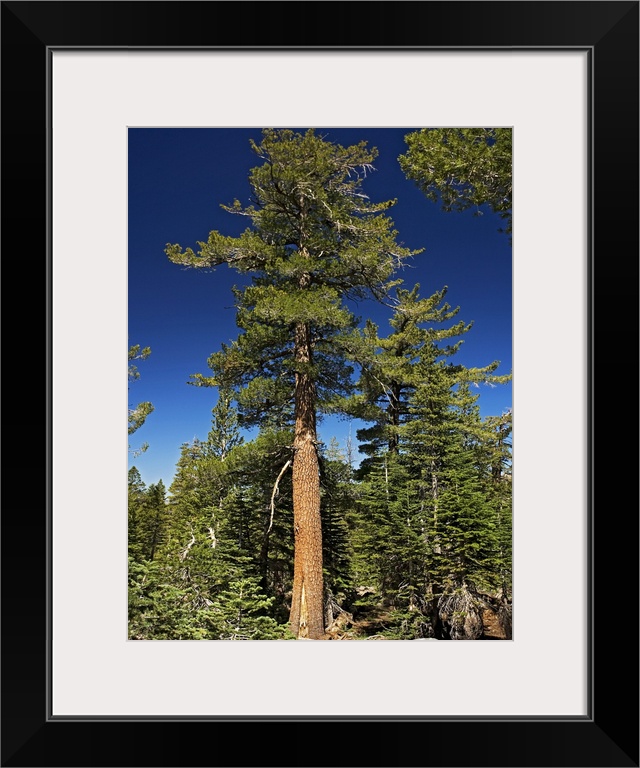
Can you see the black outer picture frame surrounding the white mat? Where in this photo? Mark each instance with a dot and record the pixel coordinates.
(608, 736)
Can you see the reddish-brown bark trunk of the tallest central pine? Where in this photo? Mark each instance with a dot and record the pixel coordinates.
(307, 605)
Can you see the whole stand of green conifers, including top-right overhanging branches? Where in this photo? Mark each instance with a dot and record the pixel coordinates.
(265, 532)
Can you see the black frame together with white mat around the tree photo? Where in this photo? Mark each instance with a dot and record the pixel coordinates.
(564, 76)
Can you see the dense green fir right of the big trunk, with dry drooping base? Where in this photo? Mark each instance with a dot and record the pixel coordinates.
(465, 554)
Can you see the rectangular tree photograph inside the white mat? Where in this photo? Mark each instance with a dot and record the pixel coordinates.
(340, 467)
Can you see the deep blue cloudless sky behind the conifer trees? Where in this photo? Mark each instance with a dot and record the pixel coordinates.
(178, 178)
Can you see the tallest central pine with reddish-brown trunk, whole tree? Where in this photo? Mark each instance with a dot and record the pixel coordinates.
(315, 241)
